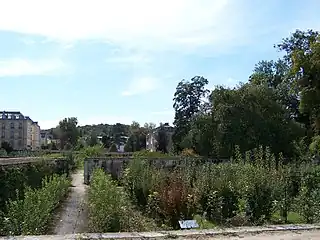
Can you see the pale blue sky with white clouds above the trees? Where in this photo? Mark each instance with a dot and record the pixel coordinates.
(106, 61)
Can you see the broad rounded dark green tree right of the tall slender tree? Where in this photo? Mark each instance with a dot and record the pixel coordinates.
(251, 116)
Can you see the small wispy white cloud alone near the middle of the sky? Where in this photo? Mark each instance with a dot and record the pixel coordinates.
(141, 85)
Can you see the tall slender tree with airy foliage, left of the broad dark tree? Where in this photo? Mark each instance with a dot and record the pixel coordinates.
(187, 103)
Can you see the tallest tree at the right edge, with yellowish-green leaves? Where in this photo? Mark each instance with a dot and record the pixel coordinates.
(302, 50)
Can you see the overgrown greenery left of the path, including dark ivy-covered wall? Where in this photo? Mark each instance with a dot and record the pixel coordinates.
(30, 190)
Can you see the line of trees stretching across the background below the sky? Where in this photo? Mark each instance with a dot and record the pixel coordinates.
(278, 107)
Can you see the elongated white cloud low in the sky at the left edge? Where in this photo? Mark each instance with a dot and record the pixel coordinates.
(16, 67)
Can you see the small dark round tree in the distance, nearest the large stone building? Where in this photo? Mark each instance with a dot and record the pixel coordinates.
(68, 132)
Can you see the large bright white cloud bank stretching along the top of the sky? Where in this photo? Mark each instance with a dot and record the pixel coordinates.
(155, 25)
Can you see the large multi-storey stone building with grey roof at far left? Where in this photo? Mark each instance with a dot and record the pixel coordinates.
(20, 131)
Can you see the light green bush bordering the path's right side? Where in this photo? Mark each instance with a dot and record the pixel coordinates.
(109, 208)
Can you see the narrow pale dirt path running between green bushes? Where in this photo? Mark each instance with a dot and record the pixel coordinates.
(73, 215)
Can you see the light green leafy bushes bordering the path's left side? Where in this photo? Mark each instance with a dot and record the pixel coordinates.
(30, 215)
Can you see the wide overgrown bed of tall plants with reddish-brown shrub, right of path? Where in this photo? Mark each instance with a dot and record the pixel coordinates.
(250, 190)
